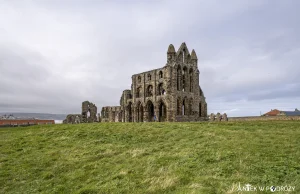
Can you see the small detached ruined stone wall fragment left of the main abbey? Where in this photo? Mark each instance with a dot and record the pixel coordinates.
(88, 114)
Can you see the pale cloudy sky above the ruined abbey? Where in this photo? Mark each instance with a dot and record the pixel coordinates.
(55, 54)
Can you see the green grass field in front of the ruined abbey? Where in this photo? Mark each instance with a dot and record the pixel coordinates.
(150, 157)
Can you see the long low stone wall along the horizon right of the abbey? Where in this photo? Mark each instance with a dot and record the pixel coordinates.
(264, 118)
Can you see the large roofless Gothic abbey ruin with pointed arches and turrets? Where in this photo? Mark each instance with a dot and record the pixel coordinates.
(171, 93)
